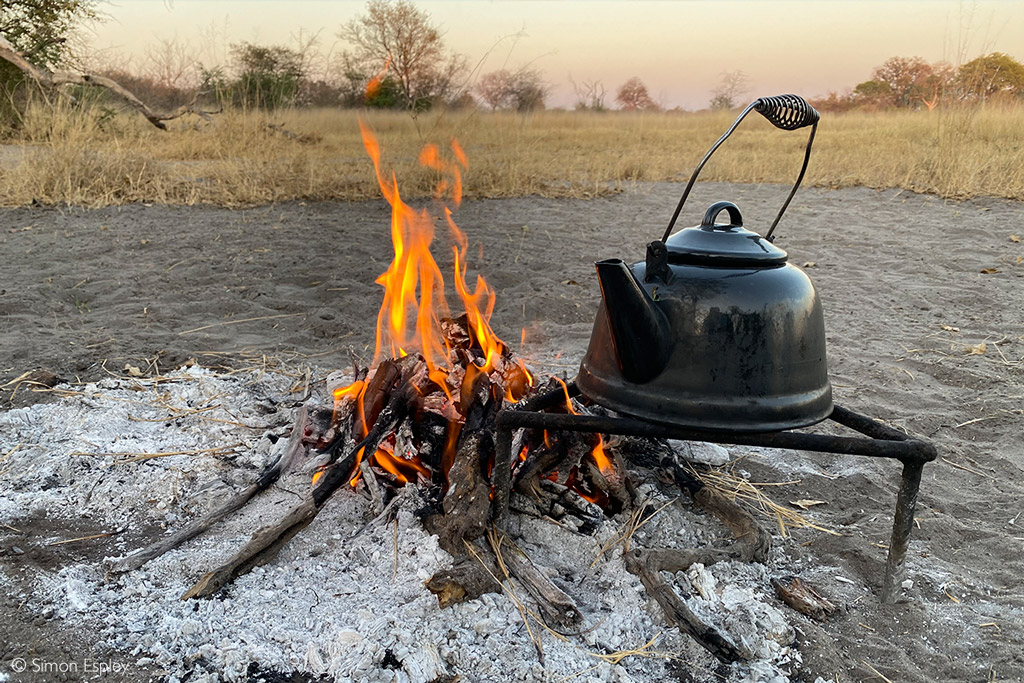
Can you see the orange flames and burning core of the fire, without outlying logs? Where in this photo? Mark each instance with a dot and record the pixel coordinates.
(423, 412)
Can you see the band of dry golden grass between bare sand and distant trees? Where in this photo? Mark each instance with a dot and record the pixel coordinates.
(94, 159)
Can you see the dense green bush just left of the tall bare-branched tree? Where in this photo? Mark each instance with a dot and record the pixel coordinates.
(269, 76)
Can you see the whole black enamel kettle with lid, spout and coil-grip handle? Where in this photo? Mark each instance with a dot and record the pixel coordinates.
(714, 330)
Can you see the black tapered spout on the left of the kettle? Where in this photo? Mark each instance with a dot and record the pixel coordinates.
(641, 332)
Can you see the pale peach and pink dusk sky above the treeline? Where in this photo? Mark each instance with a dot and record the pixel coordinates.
(680, 50)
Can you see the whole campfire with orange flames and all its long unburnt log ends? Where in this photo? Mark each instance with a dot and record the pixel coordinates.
(422, 418)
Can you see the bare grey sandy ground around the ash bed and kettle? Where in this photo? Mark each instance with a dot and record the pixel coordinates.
(911, 286)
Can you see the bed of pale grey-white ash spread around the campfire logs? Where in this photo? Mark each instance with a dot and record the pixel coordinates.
(346, 599)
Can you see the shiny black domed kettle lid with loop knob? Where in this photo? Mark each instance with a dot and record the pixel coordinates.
(723, 245)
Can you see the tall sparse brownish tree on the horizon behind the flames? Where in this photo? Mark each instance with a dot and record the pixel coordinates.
(398, 34)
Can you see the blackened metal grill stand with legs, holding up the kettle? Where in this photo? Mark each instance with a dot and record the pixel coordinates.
(879, 441)
